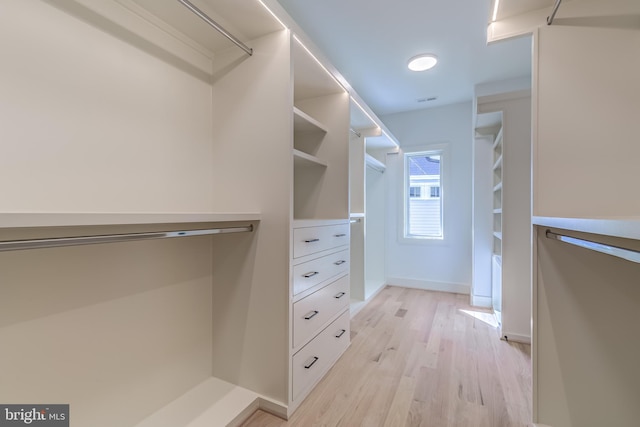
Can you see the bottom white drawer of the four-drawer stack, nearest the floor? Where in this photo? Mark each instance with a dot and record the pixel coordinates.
(315, 359)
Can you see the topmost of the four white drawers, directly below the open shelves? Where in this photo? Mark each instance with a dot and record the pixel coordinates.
(309, 240)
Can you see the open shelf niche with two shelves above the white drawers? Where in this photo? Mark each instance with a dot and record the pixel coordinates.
(320, 140)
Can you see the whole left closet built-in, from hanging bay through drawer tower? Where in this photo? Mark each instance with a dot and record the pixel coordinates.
(149, 121)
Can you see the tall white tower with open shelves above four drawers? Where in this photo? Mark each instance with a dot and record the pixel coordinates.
(319, 291)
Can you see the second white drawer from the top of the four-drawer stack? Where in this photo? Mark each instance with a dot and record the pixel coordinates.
(309, 274)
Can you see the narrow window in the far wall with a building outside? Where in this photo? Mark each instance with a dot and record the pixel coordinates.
(423, 201)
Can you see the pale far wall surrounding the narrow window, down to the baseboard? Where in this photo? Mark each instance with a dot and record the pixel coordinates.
(441, 265)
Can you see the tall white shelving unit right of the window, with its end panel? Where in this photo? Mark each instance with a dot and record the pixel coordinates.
(510, 222)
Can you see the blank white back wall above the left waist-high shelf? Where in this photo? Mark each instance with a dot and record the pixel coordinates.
(91, 123)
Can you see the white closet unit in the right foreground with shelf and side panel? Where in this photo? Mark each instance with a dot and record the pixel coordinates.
(586, 304)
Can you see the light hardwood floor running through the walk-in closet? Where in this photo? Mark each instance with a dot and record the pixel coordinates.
(420, 358)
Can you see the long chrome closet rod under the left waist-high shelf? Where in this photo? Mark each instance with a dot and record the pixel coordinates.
(14, 245)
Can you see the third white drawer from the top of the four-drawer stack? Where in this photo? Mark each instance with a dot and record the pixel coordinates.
(315, 310)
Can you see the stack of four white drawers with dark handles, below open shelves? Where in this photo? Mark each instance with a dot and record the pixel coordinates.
(320, 301)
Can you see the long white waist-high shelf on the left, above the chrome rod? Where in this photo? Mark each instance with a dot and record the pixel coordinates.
(70, 219)
